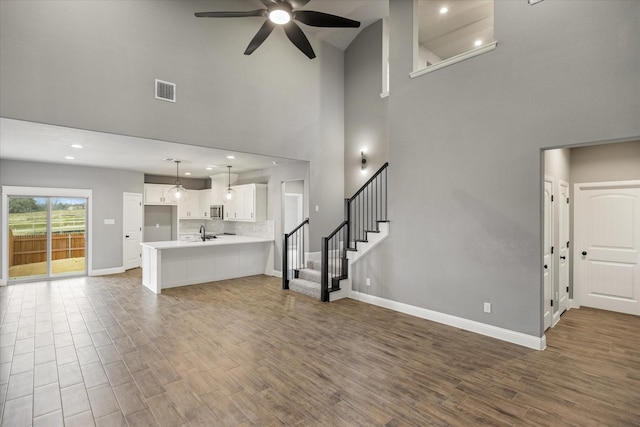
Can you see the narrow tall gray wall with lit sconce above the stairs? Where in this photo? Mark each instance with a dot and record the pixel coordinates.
(366, 113)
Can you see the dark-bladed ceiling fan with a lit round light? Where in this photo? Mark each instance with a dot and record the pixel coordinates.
(282, 13)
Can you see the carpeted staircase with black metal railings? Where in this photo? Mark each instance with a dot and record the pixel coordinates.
(364, 227)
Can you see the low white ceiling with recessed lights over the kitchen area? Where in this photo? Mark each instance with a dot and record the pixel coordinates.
(37, 142)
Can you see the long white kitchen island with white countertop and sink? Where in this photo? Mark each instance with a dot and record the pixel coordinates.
(179, 263)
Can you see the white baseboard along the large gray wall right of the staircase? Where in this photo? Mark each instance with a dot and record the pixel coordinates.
(529, 341)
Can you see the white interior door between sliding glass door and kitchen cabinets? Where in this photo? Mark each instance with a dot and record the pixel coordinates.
(132, 229)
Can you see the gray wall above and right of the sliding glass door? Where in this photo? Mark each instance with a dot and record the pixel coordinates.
(107, 185)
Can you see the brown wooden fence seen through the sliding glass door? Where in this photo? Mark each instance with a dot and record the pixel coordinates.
(32, 248)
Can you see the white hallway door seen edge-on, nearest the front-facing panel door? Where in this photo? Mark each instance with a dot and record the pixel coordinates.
(563, 248)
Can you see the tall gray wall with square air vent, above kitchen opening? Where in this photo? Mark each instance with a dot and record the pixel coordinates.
(92, 65)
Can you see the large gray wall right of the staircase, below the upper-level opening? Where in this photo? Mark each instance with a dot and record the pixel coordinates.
(464, 150)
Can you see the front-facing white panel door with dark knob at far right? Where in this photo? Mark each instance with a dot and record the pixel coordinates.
(607, 249)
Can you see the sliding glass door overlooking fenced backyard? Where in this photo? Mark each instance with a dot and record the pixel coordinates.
(46, 237)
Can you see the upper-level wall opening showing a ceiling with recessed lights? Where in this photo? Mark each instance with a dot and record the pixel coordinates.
(449, 31)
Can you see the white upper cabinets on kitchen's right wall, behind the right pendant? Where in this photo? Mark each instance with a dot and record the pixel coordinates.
(249, 203)
